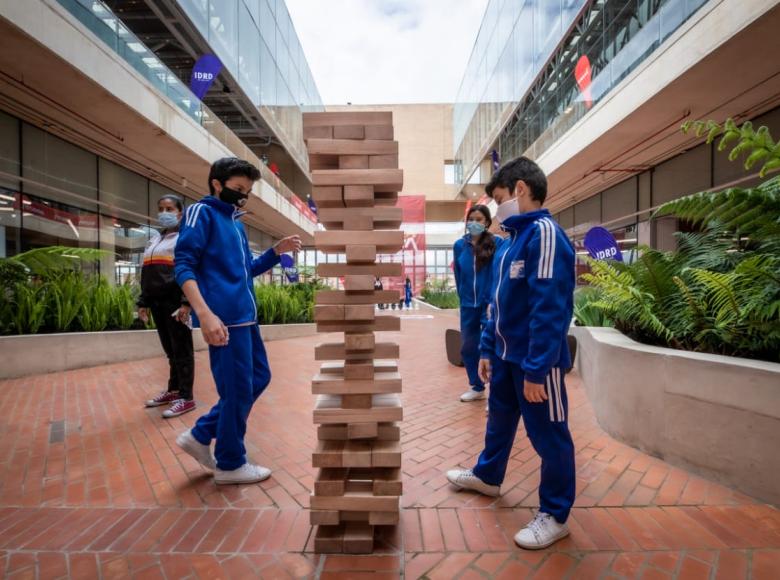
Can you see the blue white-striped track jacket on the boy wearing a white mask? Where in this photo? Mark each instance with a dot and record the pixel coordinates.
(533, 296)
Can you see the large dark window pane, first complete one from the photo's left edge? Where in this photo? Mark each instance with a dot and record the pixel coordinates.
(69, 171)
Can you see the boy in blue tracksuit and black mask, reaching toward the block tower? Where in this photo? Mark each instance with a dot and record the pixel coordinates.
(215, 269)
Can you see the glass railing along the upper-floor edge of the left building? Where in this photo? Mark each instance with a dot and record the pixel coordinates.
(102, 22)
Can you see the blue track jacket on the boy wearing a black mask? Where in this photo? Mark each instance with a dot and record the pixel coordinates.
(212, 249)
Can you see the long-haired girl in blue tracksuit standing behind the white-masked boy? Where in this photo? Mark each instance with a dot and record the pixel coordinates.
(472, 256)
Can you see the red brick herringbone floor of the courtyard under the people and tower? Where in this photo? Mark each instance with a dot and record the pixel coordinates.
(92, 485)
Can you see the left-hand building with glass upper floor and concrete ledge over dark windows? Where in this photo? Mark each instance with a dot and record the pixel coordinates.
(97, 120)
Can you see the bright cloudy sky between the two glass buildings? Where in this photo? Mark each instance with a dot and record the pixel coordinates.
(387, 51)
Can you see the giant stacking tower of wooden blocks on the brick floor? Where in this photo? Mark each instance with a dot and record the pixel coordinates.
(355, 176)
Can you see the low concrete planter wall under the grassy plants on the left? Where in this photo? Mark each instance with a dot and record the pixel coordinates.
(47, 353)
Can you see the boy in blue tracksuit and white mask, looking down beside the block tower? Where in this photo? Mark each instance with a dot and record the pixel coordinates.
(525, 353)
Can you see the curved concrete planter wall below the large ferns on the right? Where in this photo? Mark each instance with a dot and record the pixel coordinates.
(715, 415)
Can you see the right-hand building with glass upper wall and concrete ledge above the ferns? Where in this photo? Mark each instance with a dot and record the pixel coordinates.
(596, 92)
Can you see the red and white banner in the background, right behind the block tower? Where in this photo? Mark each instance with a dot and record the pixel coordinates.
(412, 255)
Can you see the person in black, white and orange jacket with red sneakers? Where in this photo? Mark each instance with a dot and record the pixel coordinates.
(162, 297)
